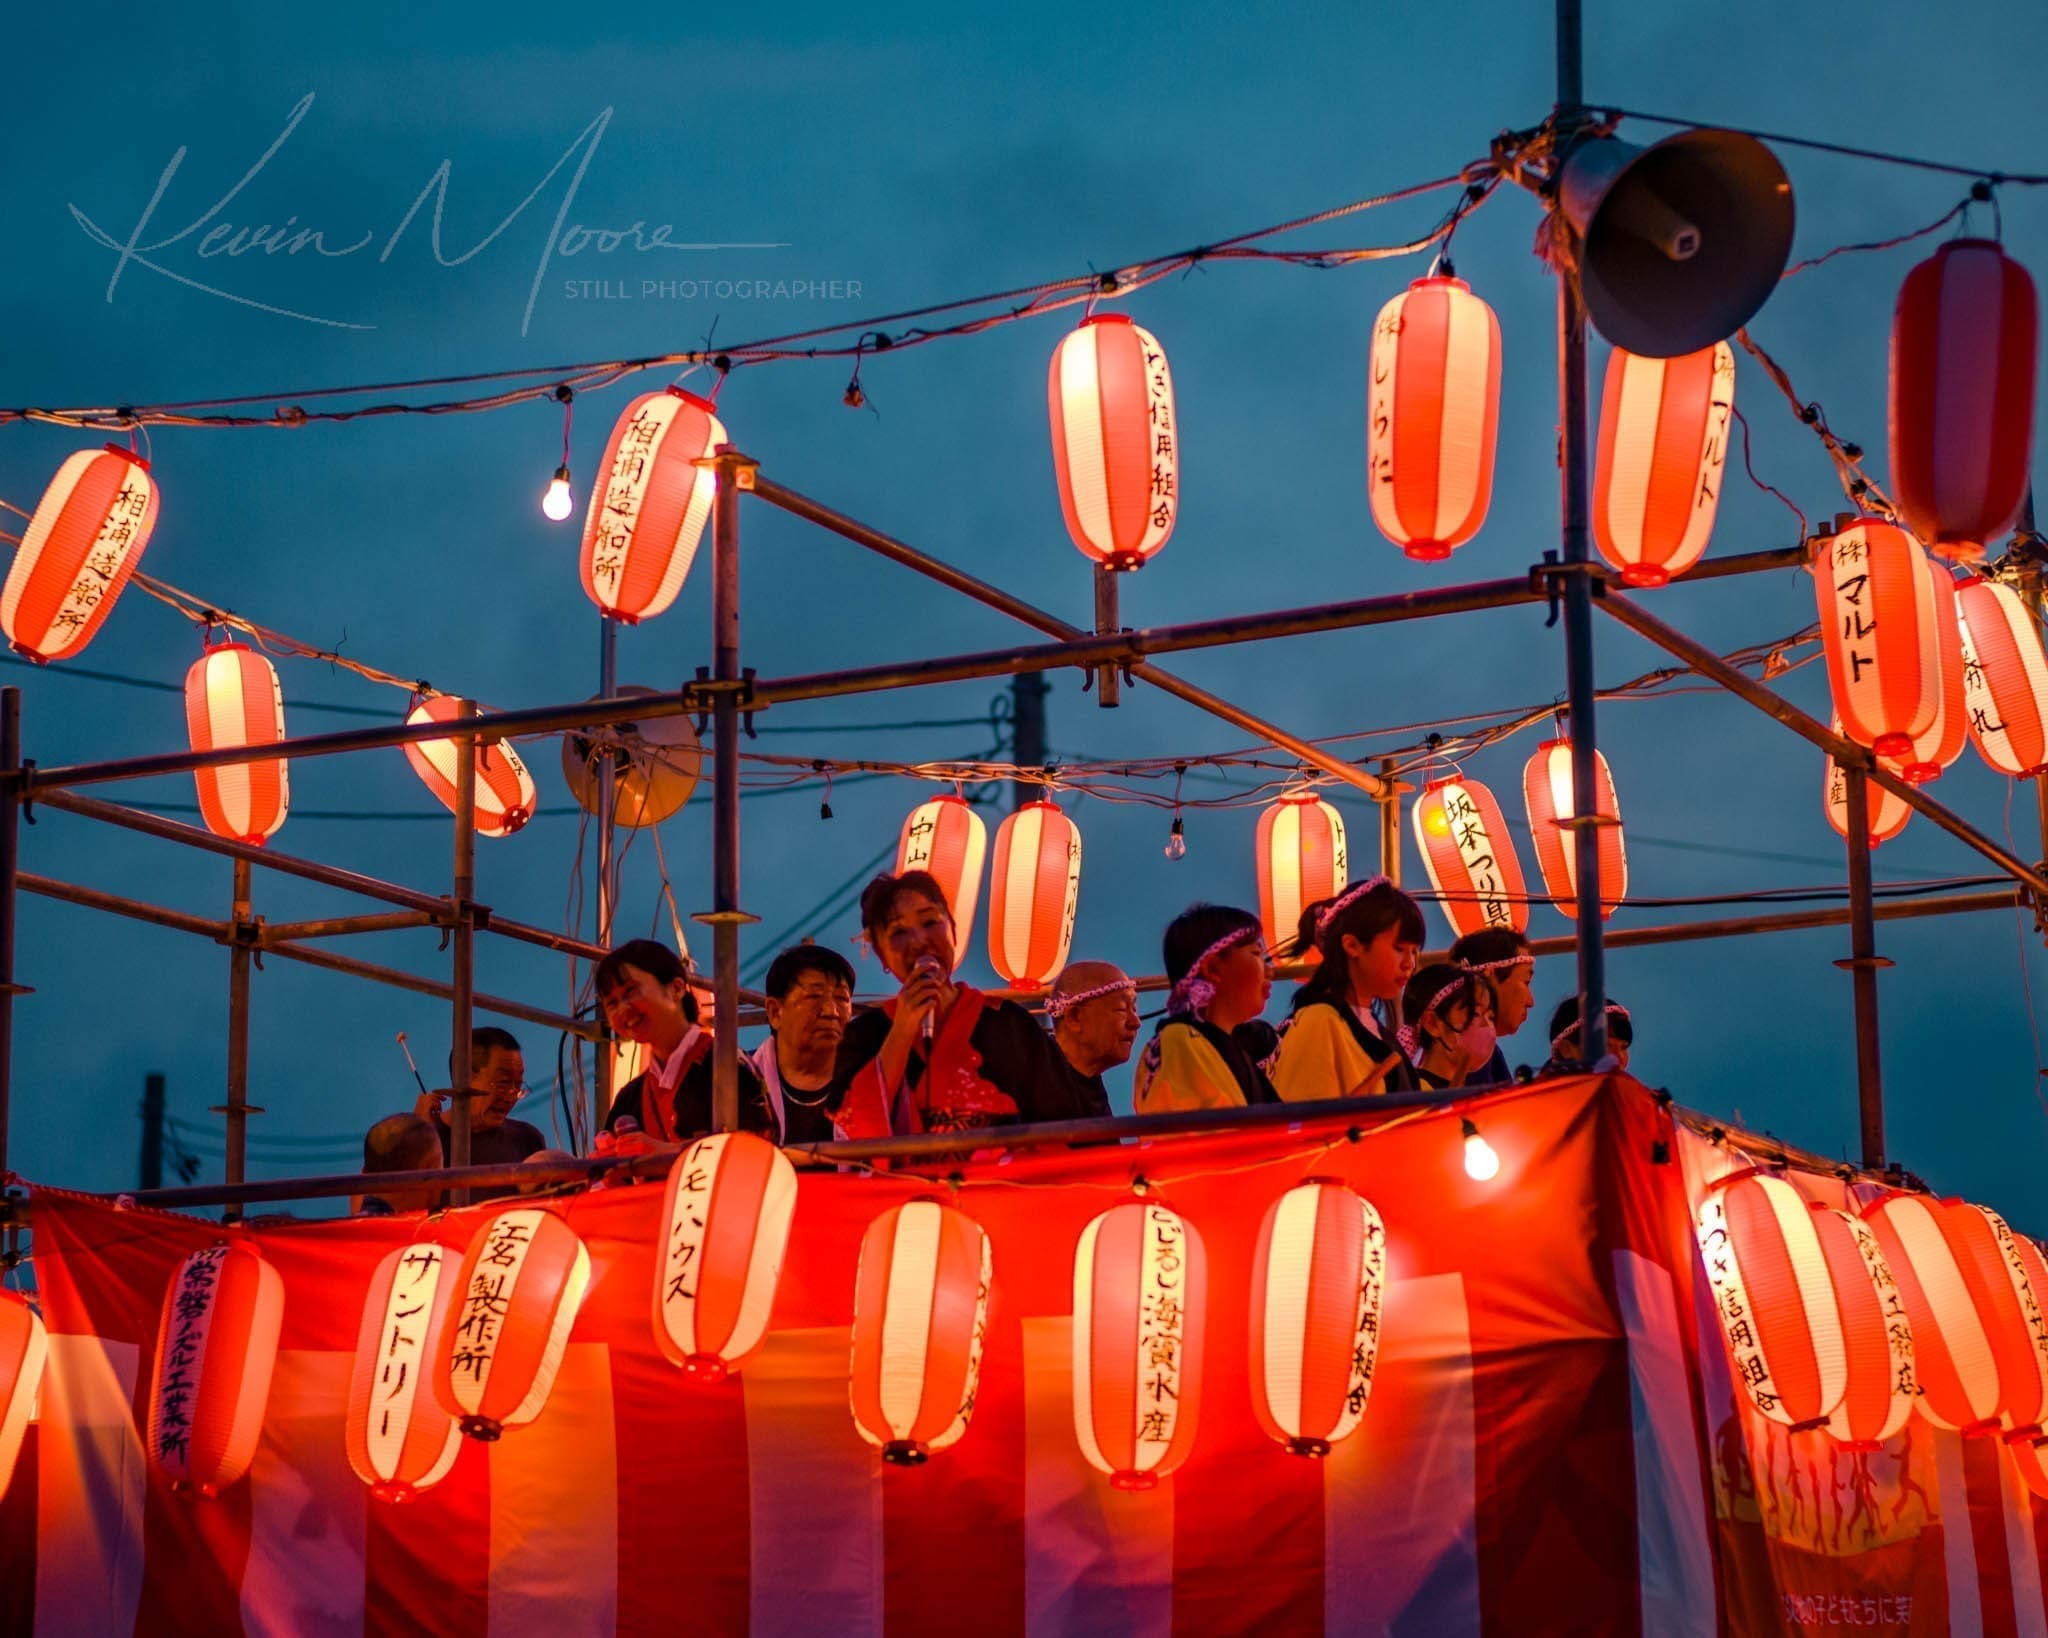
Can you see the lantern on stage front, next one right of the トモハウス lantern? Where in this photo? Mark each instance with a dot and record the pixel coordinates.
(921, 1322)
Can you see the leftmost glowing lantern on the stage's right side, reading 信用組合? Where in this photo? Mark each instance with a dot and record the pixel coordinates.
(1777, 1299)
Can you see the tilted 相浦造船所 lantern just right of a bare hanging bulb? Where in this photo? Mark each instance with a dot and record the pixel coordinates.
(650, 505)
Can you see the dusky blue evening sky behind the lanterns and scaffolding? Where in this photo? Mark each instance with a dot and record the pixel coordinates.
(929, 153)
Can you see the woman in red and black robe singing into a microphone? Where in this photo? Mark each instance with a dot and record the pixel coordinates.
(941, 1058)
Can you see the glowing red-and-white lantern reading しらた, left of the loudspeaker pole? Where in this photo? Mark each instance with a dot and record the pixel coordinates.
(1433, 413)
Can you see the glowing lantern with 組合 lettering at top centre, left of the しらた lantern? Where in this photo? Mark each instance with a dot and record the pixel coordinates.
(1115, 441)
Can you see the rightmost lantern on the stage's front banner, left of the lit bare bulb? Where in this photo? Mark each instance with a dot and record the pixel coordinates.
(1318, 1283)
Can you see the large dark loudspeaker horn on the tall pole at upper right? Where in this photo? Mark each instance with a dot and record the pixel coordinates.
(1682, 243)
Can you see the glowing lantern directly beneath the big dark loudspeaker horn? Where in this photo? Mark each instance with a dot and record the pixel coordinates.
(1664, 437)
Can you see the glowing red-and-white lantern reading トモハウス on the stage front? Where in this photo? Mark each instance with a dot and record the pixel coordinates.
(724, 1234)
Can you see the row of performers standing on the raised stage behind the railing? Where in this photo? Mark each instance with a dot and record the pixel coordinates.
(941, 1055)
